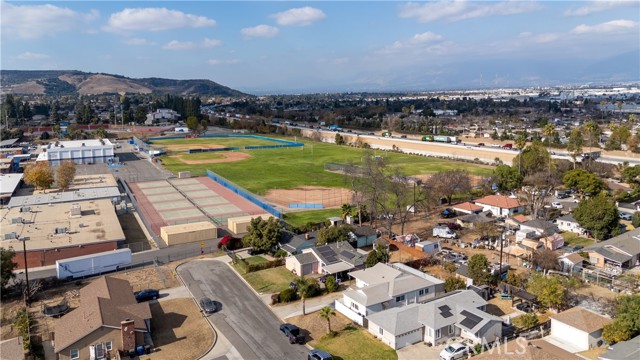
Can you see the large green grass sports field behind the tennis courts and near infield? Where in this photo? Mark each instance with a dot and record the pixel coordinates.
(288, 168)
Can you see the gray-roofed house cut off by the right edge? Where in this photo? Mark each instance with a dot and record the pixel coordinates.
(618, 253)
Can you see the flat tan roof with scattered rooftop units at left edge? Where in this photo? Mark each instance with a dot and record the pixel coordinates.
(97, 223)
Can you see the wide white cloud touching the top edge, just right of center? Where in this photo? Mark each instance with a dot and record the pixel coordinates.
(461, 9)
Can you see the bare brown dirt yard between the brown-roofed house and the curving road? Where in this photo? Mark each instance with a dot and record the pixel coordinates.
(179, 330)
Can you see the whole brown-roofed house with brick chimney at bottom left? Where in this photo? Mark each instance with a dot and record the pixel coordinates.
(109, 319)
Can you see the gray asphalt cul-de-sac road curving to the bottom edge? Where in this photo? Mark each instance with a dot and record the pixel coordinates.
(244, 320)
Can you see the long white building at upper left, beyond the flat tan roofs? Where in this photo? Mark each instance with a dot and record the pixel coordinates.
(88, 151)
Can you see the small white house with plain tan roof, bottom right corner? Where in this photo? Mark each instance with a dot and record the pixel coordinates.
(577, 329)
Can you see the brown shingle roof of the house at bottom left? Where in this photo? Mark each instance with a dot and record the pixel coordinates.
(105, 302)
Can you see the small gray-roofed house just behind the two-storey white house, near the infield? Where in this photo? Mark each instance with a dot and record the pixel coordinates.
(331, 259)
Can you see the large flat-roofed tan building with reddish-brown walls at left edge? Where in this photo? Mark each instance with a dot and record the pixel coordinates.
(60, 231)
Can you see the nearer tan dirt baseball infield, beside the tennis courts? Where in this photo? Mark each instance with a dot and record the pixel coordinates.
(327, 196)
